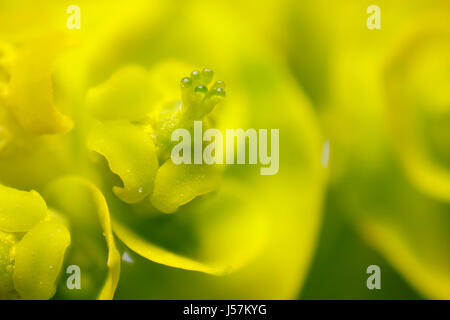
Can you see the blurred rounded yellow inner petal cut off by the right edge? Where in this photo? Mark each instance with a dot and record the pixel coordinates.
(417, 81)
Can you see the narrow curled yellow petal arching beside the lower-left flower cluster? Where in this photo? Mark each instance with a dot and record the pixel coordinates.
(90, 221)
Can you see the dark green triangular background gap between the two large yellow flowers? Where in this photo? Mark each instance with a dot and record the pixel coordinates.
(338, 269)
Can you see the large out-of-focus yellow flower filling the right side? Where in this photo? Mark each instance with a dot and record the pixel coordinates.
(385, 112)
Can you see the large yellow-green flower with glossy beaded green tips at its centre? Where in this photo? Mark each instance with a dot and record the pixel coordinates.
(243, 241)
